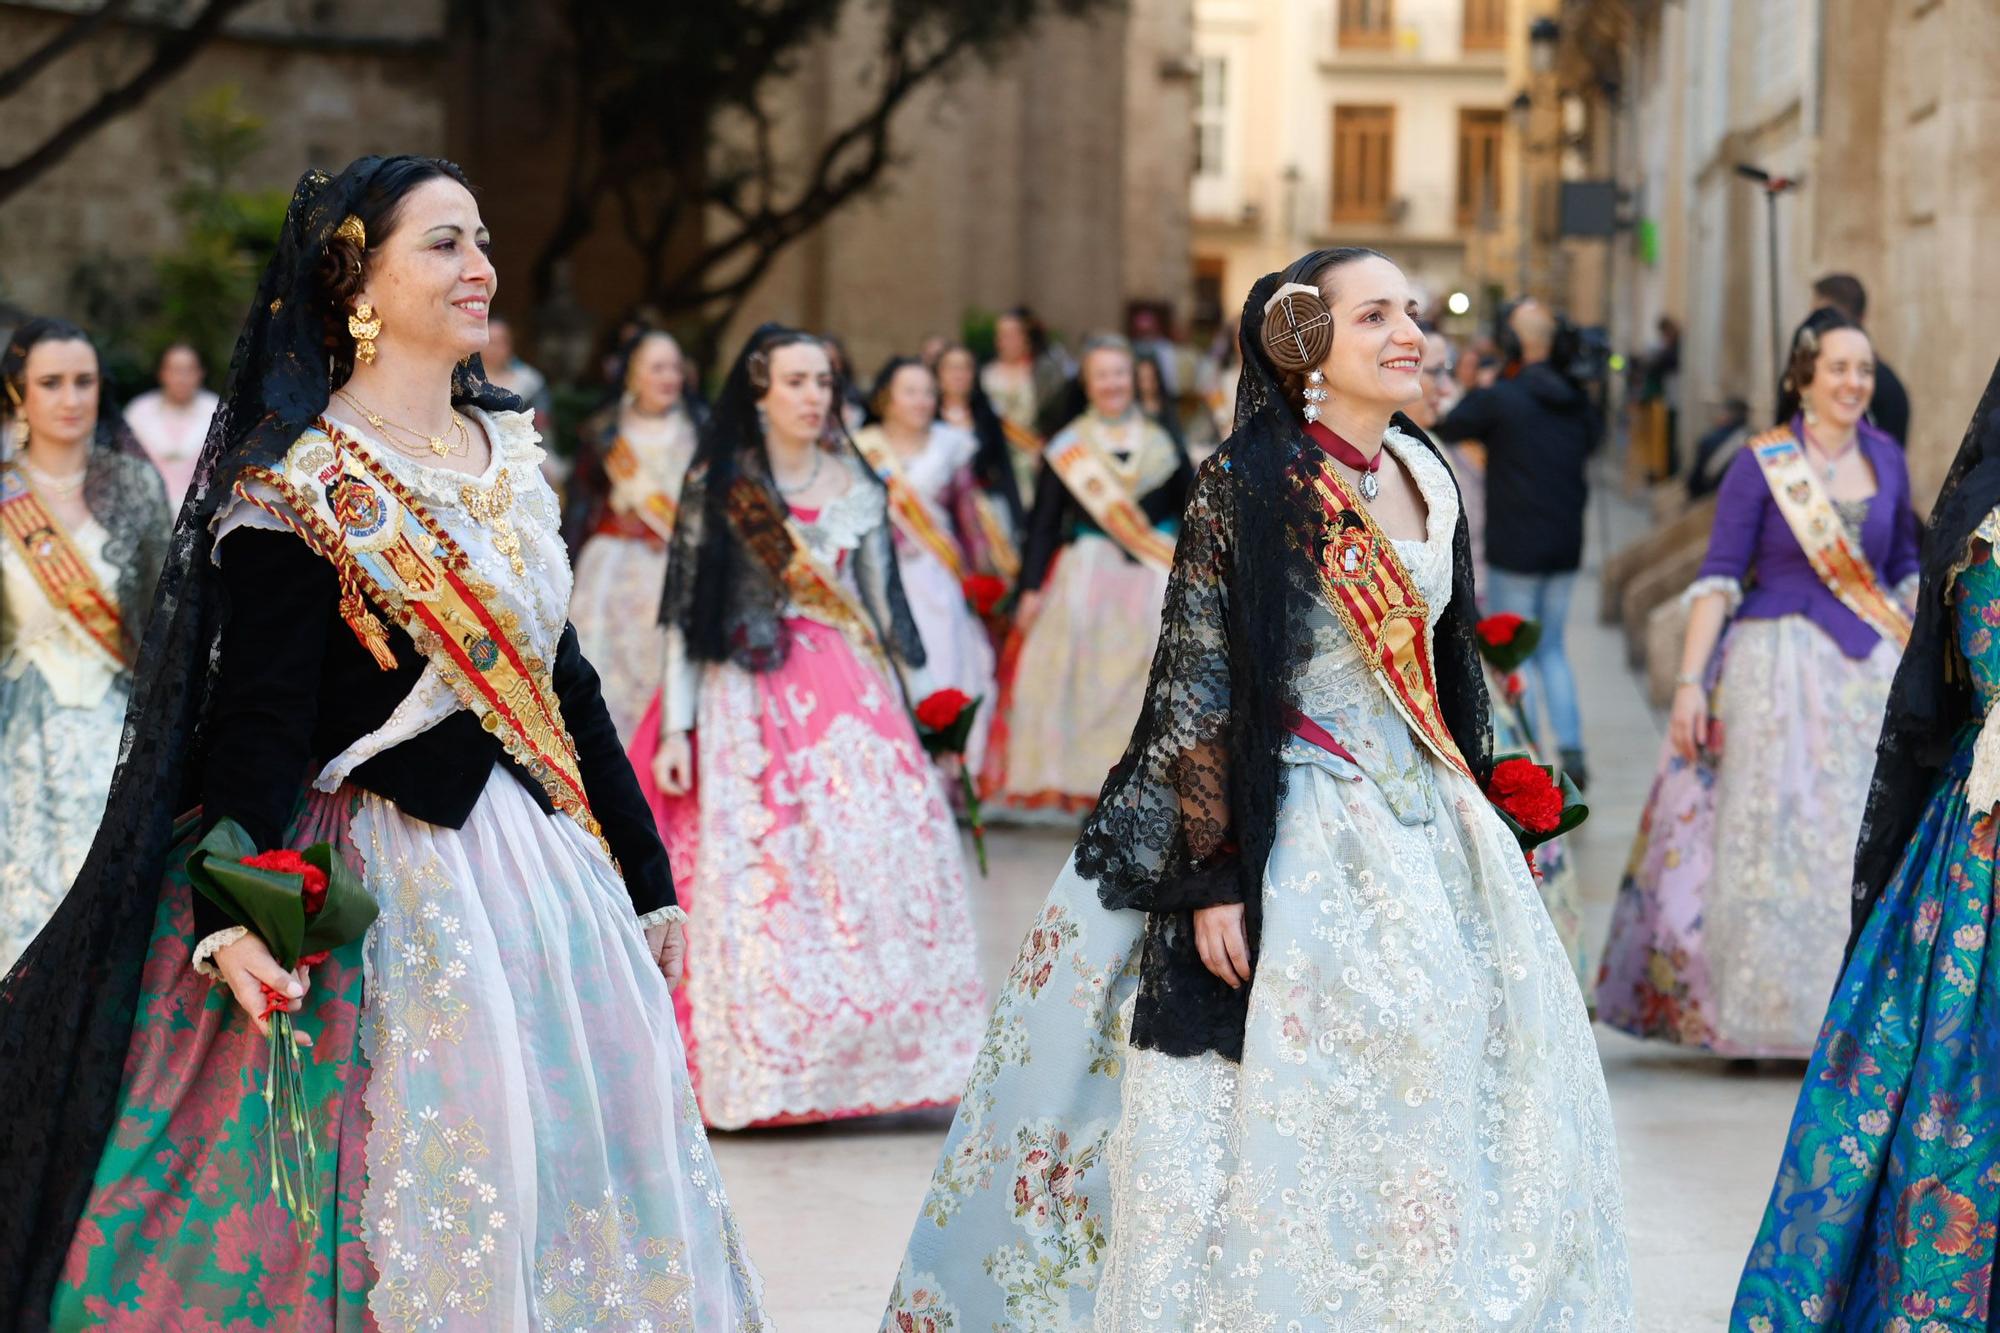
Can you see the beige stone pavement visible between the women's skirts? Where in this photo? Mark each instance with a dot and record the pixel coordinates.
(827, 1212)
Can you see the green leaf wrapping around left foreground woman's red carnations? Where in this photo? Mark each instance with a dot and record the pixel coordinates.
(273, 904)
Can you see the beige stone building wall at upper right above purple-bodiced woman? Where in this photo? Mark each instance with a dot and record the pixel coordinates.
(1885, 113)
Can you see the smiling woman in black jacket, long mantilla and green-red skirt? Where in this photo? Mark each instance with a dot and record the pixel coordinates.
(505, 1116)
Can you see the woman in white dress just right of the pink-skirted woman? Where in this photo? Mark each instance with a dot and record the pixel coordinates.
(941, 549)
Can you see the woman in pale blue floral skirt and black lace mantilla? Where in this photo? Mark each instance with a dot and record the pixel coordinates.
(1293, 1042)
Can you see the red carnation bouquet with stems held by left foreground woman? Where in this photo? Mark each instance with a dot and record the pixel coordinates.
(303, 906)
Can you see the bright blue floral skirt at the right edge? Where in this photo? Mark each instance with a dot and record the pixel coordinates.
(1889, 1192)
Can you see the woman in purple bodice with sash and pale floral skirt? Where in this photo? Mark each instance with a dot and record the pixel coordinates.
(1733, 912)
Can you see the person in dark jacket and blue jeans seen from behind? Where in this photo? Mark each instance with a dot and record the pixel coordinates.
(1539, 431)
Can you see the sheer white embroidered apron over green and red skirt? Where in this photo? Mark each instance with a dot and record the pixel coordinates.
(535, 1158)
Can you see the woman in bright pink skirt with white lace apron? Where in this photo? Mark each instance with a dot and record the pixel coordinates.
(833, 972)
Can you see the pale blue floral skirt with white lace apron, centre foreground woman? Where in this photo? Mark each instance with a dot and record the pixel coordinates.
(1417, 1138)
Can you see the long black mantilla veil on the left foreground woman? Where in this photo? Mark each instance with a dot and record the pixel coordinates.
(67, 1006)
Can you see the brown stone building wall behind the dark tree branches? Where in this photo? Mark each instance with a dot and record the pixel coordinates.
(1055, 179)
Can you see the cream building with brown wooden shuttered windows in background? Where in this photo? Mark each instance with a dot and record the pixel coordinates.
(1377, 123)
